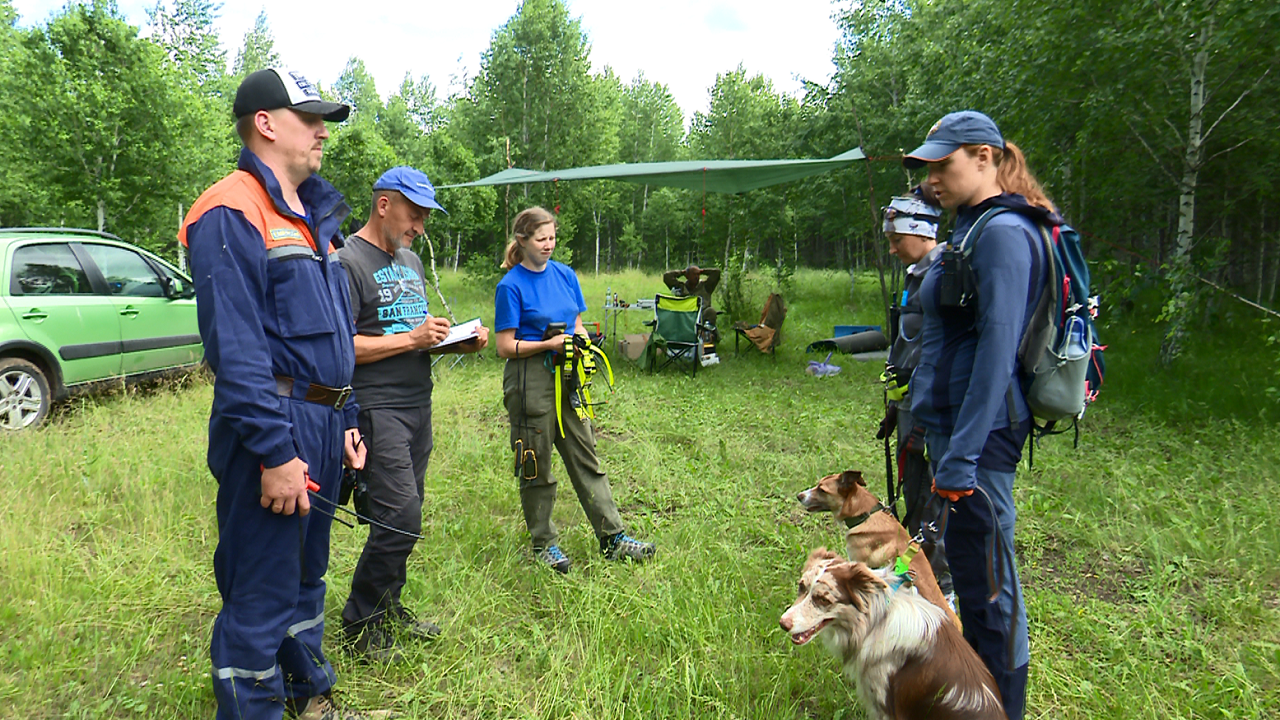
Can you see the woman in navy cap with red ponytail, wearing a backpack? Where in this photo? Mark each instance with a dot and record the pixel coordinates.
(967, 391)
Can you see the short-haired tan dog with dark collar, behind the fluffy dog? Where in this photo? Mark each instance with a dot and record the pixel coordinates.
(875, 537)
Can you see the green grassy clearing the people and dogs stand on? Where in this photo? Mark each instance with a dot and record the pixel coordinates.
(1149, 554)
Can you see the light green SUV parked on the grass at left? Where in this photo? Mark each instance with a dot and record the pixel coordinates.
(79, 308)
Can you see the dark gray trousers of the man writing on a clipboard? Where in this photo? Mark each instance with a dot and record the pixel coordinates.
(399, 444)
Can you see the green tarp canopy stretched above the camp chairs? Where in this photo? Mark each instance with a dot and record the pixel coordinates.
(714, 176)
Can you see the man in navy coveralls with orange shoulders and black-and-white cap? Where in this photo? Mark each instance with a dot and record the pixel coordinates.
(276, 321)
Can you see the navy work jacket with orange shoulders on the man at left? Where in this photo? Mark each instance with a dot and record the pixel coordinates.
(262, 317)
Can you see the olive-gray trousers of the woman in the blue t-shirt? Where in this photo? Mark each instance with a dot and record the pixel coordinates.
(529, 394)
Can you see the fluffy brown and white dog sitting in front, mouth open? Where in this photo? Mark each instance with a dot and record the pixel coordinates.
(898, 649)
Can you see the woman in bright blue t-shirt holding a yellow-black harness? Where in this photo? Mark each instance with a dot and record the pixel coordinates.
(536, 293)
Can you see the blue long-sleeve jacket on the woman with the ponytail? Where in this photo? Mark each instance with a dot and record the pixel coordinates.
(967, 385)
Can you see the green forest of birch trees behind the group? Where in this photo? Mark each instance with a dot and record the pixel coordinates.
(1155, 126)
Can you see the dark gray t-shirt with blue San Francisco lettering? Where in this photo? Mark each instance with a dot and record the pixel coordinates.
(388, 297)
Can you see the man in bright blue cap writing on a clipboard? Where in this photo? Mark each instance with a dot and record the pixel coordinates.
(395, 336)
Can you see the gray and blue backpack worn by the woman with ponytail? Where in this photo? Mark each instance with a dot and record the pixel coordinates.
(1060, 358)
